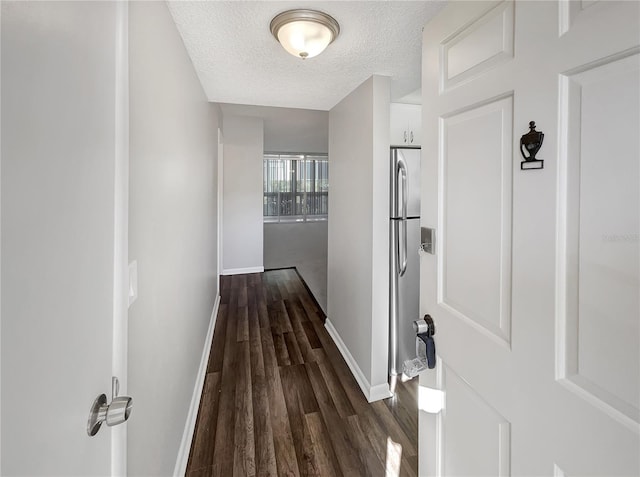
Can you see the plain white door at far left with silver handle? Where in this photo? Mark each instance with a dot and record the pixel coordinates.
(64, 233)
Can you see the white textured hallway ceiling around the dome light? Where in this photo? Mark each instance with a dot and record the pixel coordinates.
(239, 61)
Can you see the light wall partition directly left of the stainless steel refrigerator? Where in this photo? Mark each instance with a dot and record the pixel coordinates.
(358, 259)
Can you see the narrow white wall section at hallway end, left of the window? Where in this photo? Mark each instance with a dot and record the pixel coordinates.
(242, 195)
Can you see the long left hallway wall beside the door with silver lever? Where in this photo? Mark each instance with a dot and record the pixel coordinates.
(172, 234)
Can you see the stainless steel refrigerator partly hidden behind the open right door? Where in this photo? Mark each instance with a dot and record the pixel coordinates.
(404, 283)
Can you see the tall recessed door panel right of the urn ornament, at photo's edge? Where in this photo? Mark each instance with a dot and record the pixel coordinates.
(592, 203)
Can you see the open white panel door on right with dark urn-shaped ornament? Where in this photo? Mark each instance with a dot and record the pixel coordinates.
(535, 285)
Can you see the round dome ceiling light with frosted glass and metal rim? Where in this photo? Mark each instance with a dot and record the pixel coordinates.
(304, 33)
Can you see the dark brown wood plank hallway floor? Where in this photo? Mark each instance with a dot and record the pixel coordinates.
(279, 399)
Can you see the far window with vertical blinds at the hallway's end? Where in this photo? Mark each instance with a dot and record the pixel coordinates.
(296, 187)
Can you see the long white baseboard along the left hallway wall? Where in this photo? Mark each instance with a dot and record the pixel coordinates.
(190, 426)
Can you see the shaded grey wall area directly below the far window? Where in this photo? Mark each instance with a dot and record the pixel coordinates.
(302, 245)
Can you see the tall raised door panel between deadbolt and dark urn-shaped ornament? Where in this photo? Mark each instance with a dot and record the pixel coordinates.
(485, 243)
